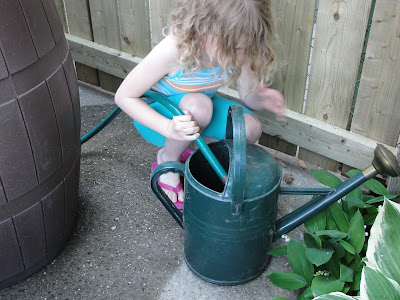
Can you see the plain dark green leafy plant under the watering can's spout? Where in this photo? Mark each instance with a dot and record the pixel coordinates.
(330, 260)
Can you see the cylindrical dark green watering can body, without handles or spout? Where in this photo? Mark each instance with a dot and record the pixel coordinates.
(224, 244)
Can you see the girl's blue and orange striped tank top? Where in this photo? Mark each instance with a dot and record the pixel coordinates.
(206, 81)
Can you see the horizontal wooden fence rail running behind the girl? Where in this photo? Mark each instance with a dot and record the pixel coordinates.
(314, 135)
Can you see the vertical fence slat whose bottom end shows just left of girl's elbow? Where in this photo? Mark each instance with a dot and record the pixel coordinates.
(105, 27)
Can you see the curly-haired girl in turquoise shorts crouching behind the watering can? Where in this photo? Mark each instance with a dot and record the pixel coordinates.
(209, 43)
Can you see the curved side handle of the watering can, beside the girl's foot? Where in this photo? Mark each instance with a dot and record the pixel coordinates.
(169, 166)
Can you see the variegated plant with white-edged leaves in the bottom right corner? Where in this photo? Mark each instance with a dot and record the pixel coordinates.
(381, 276)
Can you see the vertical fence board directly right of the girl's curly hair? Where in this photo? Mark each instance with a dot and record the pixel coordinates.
(294, 23)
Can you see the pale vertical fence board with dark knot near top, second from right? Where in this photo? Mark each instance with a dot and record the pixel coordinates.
(339, 38)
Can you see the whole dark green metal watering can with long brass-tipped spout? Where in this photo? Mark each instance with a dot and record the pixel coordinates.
(229, 221)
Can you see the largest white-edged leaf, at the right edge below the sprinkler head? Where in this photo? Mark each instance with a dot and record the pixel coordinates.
(384, 243)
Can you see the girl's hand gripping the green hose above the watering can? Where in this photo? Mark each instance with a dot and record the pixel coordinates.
(183, 128)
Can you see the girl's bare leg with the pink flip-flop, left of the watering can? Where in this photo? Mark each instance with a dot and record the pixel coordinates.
(200, 107)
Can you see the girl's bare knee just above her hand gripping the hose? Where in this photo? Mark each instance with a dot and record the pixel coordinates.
(200, 106)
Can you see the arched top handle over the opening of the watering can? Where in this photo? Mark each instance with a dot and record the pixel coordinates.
(236, 130)
